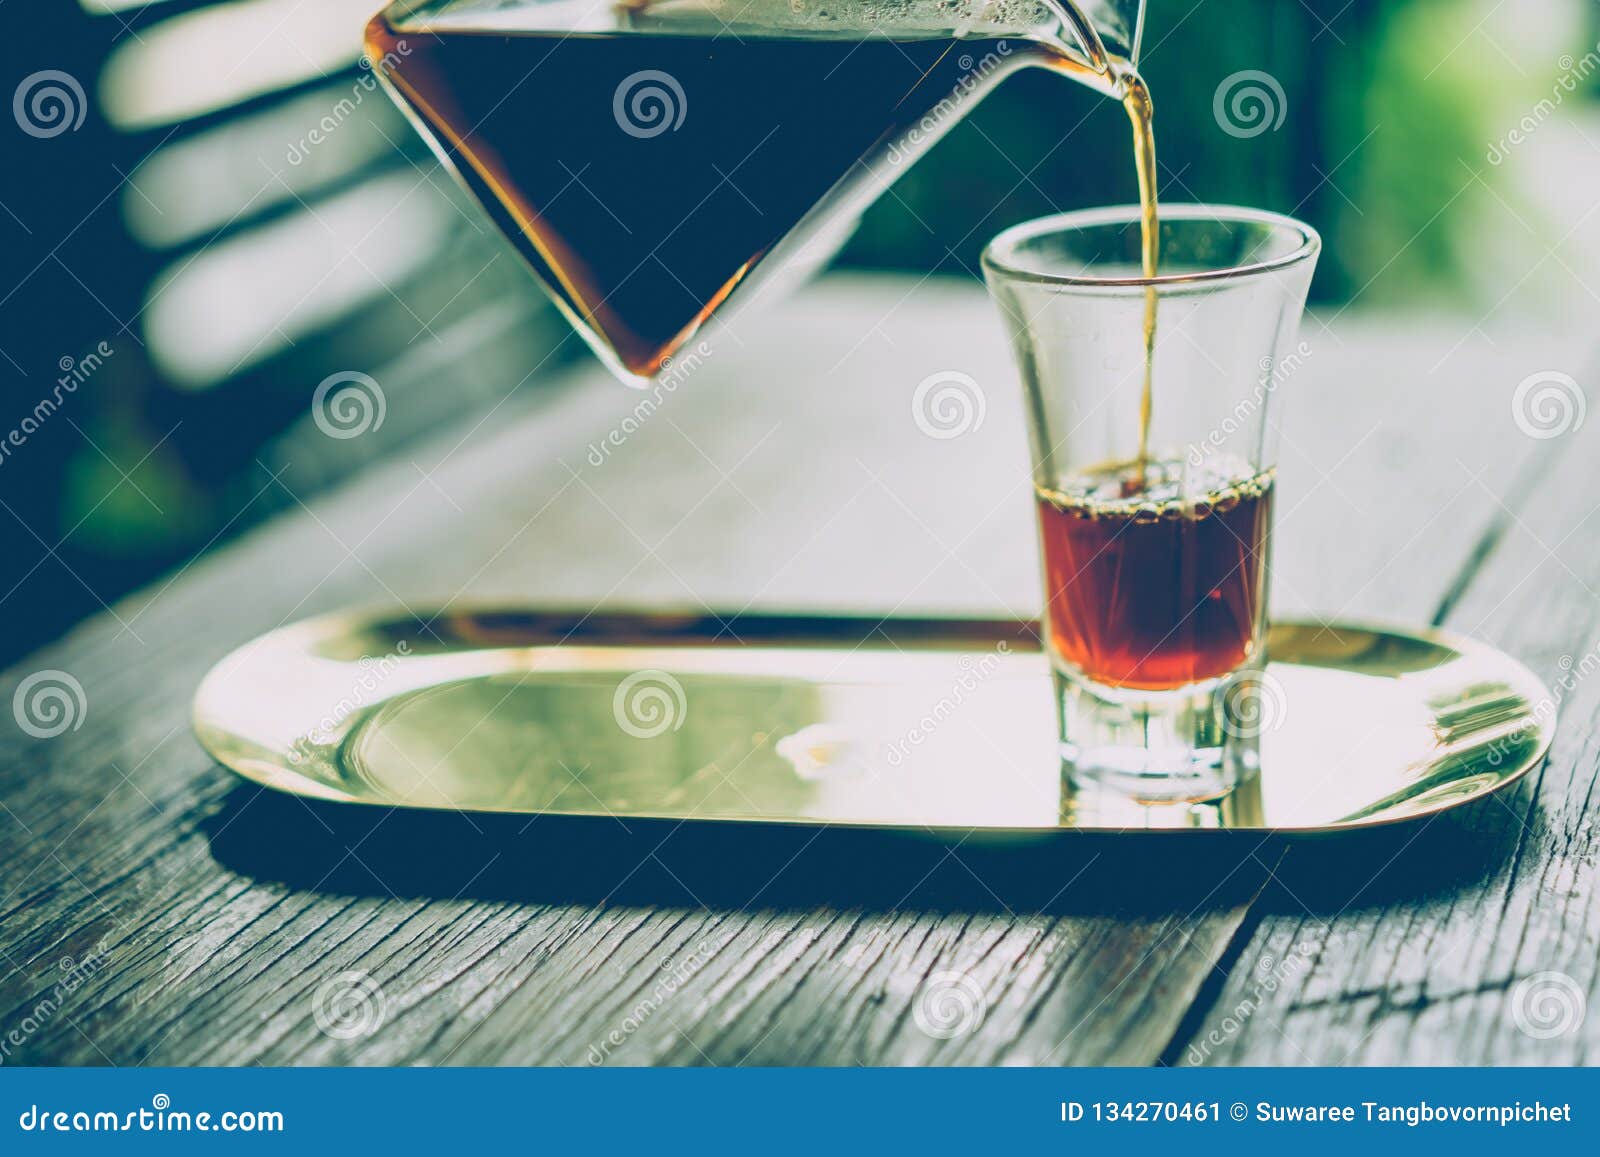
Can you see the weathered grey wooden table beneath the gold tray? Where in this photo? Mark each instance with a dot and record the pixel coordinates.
(161, 911)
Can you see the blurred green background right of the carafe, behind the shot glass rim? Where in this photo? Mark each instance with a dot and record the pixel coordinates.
(1391, 108)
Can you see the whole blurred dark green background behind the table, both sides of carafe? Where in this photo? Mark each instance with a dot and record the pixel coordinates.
(230, 279)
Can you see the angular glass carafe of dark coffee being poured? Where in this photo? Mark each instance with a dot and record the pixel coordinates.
(658, 161)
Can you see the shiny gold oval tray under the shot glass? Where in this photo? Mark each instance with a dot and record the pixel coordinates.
(911, 724)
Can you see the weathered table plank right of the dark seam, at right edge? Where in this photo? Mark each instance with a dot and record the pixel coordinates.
(1473, 942)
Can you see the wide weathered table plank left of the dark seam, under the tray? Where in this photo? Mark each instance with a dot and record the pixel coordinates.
(215, 913)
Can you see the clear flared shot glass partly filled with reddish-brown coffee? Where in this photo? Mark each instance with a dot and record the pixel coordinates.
(1154, 479)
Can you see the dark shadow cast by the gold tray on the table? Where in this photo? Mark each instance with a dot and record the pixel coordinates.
(556, 860)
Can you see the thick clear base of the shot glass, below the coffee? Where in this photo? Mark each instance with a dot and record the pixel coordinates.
(1154, 747)
